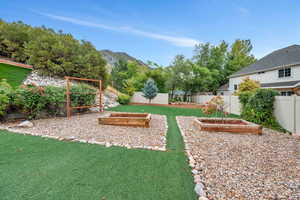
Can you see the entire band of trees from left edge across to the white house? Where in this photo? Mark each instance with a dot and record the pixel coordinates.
(56, 53)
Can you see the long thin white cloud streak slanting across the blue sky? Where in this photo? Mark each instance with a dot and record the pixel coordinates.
(178, 41)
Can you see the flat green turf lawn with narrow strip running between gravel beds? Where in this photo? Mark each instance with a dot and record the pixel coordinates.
(32, 167)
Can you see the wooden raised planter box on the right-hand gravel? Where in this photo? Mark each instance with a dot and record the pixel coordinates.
(227, 125)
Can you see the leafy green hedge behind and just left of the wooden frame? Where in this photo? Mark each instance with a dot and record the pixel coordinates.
(34, 100)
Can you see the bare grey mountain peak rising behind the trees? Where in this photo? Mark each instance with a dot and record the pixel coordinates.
(114, 57)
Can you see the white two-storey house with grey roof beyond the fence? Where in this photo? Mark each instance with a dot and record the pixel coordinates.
(279, 70)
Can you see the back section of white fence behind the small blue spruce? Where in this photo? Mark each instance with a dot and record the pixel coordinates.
(161, 98)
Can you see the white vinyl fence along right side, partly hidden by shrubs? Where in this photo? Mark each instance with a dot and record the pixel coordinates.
(286, 109)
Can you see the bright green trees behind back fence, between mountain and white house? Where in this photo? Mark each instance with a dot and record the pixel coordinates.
(206, 71)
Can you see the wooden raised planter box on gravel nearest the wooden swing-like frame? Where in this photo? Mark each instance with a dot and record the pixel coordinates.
(127, 119)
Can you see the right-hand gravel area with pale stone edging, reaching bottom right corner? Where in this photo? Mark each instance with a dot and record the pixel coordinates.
(238, 166)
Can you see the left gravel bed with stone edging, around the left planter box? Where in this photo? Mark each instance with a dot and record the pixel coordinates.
(85, 128)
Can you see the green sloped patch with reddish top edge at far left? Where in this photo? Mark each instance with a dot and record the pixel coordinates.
(14, 75)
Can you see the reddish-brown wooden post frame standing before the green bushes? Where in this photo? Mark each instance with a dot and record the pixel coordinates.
(68, 93)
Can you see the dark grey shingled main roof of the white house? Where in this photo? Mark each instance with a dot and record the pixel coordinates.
(287, 56)
